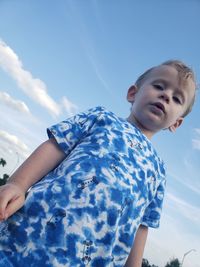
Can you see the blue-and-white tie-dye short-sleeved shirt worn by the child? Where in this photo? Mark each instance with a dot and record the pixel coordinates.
(86, 212)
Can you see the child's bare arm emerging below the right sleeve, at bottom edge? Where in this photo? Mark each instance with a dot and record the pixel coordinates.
(136, 254)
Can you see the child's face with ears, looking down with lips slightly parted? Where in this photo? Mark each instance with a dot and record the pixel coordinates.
(161, 100)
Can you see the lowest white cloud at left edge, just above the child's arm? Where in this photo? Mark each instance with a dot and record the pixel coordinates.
(14, 144)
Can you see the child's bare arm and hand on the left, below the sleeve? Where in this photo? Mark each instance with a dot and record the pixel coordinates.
(44, 159)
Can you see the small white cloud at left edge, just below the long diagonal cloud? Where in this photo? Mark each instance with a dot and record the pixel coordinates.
(15, 104)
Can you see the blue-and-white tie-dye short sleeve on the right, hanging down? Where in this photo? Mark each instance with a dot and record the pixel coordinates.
(152, 214)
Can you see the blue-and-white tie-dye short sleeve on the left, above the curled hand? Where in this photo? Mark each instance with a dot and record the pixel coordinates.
(70, 132)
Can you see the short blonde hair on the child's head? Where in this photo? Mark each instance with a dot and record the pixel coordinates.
(184, 73)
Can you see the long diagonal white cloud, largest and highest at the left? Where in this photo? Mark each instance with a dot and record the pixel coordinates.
(33, 87)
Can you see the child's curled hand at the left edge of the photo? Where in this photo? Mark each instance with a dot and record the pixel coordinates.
(11, 199)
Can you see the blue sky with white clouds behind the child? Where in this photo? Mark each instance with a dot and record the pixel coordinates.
(58, 58)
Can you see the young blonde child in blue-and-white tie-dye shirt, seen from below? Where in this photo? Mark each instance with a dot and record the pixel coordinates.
(103, 182)
